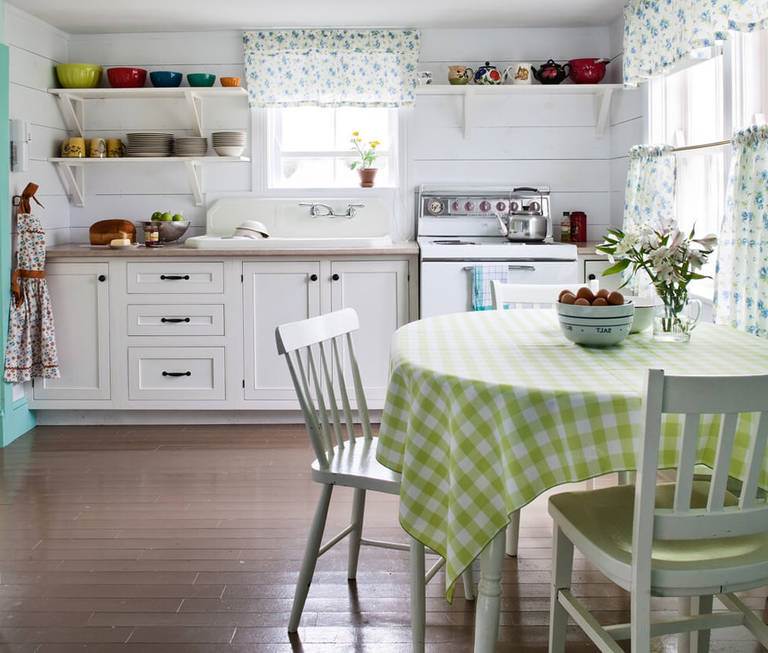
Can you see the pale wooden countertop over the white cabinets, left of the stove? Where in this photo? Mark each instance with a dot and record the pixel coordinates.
(79, 250)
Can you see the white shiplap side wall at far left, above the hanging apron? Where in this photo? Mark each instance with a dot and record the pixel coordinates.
(34, 48)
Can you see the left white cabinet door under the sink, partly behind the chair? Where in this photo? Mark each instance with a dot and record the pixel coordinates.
(274, 293)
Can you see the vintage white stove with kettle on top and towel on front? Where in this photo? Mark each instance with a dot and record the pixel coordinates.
(458, 230)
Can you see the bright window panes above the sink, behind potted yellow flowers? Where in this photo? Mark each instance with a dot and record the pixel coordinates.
(309, 147)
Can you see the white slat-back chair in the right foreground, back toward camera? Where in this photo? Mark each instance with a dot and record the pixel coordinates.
(692, 538)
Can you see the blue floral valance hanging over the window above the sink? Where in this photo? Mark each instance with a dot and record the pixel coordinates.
(331, 67)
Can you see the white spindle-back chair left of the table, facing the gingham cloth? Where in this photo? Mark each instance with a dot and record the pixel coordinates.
(314, 351)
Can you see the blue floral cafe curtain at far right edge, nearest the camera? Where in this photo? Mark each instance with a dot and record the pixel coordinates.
(742, 268)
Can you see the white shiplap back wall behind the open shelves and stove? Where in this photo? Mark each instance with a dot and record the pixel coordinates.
(544, 139)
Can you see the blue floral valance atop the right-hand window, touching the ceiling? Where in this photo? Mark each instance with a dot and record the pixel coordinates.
(660, 33)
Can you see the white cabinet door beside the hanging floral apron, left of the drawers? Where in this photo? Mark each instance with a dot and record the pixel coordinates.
(80, 298)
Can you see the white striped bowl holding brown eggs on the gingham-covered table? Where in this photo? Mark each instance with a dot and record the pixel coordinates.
(595, 326)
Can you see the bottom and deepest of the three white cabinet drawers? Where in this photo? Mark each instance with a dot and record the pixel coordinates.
(177, 373)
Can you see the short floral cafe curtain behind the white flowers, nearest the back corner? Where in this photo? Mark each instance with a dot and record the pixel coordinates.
(650, 191)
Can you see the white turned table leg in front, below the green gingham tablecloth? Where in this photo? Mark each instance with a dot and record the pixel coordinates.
(489, 595)
